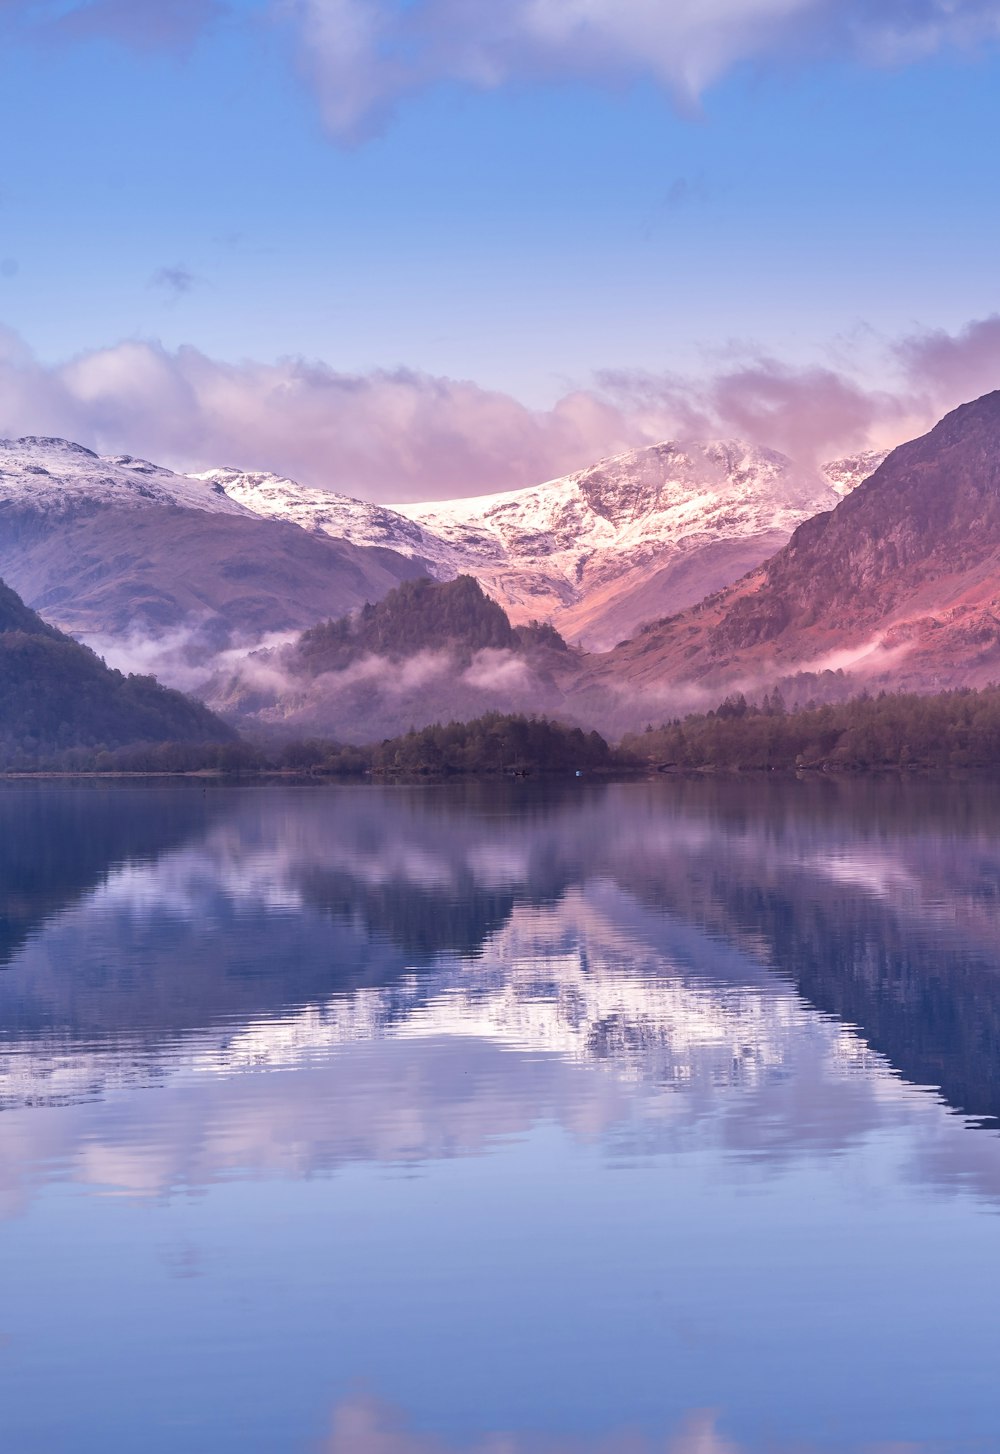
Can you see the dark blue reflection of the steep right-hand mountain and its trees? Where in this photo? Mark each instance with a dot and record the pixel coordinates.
(922, 987)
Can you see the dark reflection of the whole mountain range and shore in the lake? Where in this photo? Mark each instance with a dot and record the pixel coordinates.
(650, 928)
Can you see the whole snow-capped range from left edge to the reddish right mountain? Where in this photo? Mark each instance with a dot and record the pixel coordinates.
(118, 549)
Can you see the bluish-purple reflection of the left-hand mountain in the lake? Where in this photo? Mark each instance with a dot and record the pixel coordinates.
(280, 902)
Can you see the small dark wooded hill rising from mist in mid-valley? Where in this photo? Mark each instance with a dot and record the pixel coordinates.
(419, 616)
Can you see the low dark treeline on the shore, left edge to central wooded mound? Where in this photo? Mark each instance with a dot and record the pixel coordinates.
(491, 747)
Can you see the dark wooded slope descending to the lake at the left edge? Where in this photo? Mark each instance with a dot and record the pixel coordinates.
(56, 696)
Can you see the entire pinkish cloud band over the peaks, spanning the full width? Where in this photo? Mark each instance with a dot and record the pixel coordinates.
(403, 435)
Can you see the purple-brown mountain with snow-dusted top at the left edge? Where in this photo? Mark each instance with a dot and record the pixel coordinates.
(114, 549)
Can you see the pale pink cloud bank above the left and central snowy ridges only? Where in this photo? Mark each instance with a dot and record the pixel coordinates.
(393, 435)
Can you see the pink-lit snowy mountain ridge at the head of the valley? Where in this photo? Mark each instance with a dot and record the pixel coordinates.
(597, 553)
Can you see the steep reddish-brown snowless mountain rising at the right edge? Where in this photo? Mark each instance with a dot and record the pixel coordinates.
(899, 585)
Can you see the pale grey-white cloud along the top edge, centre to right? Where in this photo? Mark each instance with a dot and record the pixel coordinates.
(366, 56)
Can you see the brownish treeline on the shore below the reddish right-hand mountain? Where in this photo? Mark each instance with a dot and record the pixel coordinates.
(959, 729)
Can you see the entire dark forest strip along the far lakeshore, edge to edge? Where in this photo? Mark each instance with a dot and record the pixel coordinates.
(887, 732)
